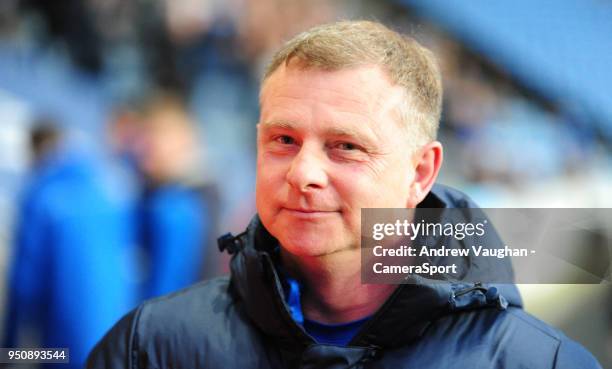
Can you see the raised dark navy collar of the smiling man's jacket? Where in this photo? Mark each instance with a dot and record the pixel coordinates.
(402, 318)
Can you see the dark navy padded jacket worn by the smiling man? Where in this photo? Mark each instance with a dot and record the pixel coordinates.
(245, 322)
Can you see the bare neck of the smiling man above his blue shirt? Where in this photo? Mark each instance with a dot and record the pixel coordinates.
(332, 290)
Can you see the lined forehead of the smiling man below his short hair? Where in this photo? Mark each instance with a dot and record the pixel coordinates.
(364, 92)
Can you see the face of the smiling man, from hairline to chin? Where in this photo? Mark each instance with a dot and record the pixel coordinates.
(329, 143)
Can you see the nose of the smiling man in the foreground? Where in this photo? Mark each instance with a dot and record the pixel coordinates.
(308, 169)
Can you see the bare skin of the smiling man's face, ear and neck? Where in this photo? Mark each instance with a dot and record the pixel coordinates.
(331, 142)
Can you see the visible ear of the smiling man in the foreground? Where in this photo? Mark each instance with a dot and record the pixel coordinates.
(427, 162)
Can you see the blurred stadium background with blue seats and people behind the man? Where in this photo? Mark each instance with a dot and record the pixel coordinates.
(127, 133)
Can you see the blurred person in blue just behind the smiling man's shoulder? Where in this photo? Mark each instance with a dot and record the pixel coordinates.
(175, 212)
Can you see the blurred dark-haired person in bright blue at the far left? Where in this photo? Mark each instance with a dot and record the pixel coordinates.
(71, 273)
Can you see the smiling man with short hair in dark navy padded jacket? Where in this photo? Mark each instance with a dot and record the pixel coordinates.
(349, 113)
